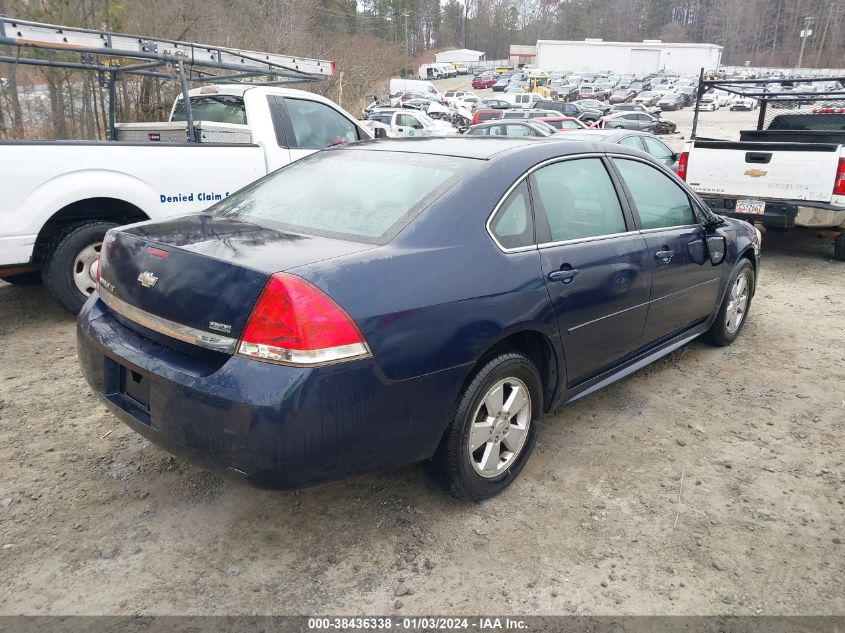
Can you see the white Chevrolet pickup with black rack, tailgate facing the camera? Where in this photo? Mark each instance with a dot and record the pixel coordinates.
(789, 173)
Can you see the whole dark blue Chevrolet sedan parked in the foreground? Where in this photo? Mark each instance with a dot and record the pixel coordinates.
(400, 301)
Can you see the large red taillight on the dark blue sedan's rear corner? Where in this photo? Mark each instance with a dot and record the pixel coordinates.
(296, 323)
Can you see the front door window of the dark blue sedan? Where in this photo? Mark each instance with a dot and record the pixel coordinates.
(660, 202)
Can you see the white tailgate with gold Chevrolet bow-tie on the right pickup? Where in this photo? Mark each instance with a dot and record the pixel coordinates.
(774, 171)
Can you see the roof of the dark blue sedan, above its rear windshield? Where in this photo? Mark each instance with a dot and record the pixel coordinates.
(482, 147)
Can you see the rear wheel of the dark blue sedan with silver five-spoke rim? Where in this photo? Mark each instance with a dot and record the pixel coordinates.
(492, 429)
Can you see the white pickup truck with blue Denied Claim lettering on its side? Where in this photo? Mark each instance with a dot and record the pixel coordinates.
(60, 197)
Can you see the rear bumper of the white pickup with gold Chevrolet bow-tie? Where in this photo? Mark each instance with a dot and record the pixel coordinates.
(785, 214)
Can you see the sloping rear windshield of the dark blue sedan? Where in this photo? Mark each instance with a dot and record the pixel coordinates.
(359, 195)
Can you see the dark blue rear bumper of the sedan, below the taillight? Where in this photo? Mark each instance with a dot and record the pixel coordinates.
(270, 425)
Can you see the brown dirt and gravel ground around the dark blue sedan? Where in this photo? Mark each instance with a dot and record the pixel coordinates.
(710, 482)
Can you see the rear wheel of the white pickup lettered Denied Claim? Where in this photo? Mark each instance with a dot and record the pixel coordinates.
(70, 268)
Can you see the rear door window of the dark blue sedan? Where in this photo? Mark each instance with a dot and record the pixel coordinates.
(578, 199)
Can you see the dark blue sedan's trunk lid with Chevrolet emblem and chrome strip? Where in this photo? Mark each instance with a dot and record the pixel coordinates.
(197, 278)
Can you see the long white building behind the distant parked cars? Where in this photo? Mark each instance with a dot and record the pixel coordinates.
(639, 58)
